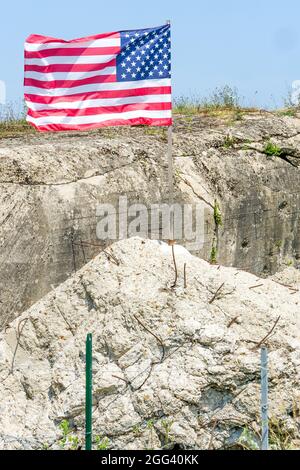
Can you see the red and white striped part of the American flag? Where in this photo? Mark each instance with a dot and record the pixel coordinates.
(72, 85)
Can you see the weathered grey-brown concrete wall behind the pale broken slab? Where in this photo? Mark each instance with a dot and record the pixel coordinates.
(50, 186)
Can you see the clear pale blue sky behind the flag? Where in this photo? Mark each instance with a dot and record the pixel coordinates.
(251, 44)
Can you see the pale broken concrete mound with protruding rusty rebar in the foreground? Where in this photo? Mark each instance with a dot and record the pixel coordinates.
(171, 366)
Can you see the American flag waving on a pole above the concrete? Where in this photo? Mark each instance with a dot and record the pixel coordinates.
(112, 79)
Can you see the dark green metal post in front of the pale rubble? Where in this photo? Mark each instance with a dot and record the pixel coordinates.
(88, 392)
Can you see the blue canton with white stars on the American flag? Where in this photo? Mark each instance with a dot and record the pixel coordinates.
(145, 54)
